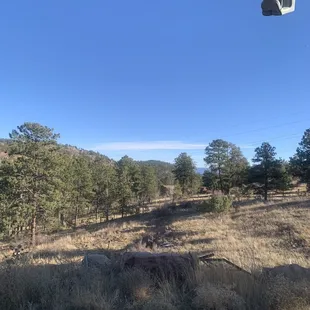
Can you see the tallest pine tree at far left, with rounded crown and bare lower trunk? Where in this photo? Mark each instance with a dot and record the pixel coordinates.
(32, 172)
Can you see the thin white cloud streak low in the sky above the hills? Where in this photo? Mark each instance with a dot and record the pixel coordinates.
(152, 145)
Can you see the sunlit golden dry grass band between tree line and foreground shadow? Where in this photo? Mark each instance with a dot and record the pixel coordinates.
(256, 235)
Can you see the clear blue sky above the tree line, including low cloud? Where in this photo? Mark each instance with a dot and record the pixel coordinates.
(153, 78)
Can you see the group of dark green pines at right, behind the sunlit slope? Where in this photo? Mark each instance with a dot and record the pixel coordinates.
(230, 172)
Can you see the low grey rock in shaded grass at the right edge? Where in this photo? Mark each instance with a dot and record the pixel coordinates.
(292, 272)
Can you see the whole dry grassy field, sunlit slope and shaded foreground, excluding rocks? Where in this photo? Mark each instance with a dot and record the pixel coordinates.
(252, 236)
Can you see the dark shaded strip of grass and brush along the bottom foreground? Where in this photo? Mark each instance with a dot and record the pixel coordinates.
(71, 286)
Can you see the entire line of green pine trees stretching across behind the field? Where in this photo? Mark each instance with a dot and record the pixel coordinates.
(43, 185)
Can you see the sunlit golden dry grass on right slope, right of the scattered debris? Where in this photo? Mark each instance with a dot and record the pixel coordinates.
(255, 236)
